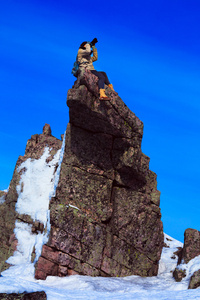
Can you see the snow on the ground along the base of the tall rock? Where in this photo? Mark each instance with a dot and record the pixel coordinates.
(20, 278)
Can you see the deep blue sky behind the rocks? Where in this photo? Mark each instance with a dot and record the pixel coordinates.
(150, 51)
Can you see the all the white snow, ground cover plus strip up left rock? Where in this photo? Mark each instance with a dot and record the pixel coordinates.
(40, 175)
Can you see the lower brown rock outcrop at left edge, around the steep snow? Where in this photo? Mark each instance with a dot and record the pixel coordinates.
(34, 149)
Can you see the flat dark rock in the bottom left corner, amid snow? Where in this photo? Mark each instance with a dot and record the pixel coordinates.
(24, 296)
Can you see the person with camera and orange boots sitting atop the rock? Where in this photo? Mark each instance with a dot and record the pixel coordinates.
(86, 62)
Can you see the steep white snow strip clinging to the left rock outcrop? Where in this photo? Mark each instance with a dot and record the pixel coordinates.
(36, 187)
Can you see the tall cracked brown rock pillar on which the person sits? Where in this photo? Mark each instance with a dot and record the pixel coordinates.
(105, 218)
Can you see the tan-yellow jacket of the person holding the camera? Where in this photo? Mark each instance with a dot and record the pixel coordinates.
(85, 58)
